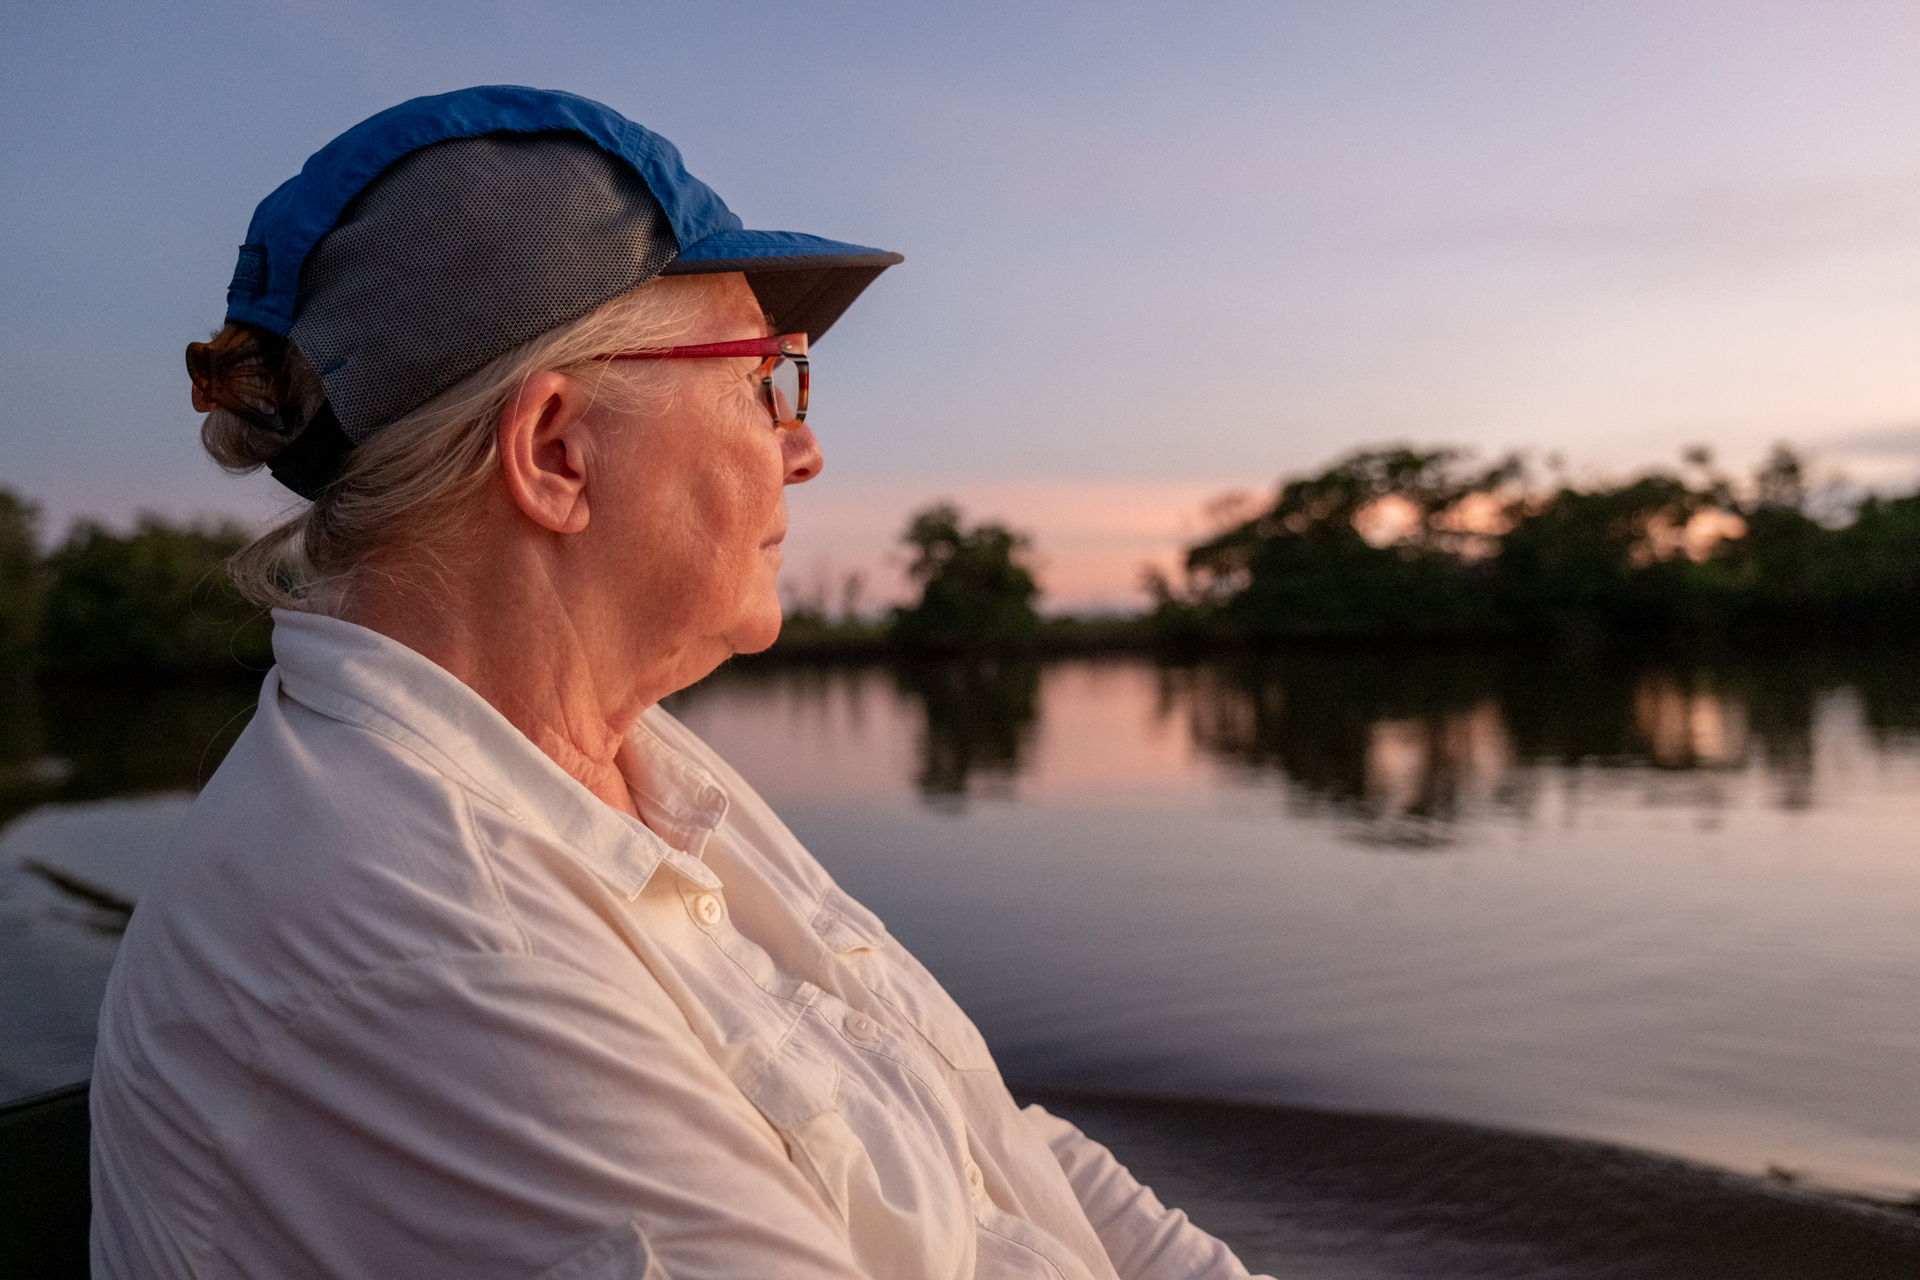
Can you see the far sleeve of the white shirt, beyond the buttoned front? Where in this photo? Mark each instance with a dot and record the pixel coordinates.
(1143, 1239)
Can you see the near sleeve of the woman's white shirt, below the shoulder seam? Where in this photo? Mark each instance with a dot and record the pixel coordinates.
(502, 1118)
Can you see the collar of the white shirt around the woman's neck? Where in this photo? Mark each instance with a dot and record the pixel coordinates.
(347, 673)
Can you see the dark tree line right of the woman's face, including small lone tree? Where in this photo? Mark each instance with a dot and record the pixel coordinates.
(1401, 544)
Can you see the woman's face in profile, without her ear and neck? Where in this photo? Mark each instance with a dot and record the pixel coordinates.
(692, 506)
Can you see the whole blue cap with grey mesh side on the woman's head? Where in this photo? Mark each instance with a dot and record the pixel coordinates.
(448, 231)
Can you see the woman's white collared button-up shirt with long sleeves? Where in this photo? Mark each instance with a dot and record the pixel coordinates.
(410, 1001)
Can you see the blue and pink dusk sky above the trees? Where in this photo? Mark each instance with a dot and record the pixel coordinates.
(1155, 250)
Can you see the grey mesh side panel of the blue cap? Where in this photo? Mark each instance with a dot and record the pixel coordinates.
(462, 252)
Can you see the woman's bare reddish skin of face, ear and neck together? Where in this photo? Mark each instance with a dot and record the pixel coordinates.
(619, 554)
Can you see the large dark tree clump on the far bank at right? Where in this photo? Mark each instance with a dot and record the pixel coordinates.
(1474, 554)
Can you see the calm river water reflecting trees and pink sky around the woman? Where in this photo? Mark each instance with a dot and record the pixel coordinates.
(1671, 905)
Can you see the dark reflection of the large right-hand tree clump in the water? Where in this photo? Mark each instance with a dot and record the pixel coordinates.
(1404, 746)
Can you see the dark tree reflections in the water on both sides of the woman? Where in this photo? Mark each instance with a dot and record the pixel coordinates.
(1401, 747)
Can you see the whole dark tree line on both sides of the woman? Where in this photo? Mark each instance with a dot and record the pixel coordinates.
(1389, 544)
